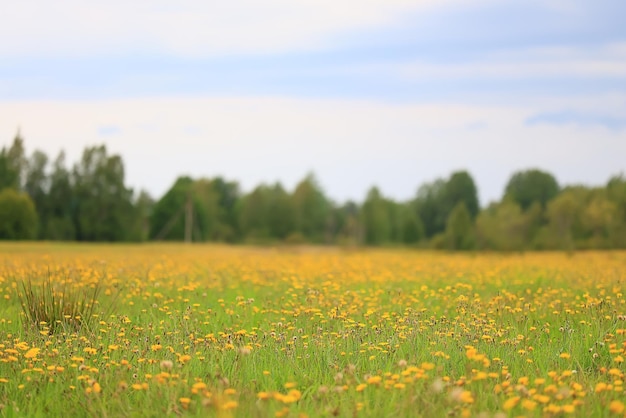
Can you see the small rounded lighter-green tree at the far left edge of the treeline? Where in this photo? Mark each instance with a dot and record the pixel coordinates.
(18, 217)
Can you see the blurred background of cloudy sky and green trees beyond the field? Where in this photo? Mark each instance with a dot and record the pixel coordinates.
(459, 124)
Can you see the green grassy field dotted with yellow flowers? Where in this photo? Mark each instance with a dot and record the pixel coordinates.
(236, 331)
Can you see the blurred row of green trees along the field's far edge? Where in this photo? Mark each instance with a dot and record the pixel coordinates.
(46, 199)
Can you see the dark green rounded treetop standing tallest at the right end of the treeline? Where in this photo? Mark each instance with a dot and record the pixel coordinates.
(530, 186)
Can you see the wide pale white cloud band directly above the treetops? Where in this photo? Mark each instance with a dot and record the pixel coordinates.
(351, 145)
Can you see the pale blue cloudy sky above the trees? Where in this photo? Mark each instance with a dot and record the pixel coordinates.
(391, 93)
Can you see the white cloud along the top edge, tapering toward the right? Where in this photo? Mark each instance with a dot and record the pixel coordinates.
(190, 27)
